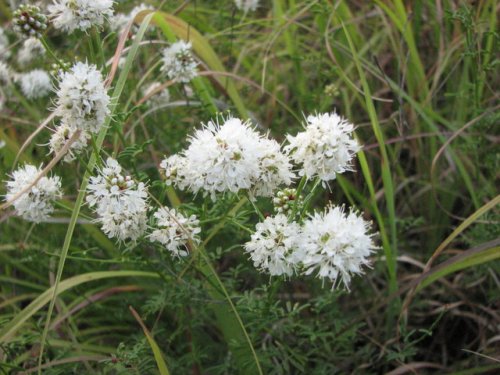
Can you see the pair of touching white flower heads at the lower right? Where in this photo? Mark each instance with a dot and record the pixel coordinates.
(335, 244)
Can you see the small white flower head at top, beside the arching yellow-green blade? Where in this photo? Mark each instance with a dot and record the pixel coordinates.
(179, 63)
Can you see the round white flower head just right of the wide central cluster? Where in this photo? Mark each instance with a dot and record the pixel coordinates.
(325, 148)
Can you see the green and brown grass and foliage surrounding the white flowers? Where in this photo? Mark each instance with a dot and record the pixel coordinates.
(418, 78)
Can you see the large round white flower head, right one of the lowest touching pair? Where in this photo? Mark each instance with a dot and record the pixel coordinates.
(336, 244)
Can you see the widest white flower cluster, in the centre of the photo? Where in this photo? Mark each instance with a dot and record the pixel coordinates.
(229, 158)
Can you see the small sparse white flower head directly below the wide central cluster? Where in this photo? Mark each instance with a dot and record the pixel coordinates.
(174, 231)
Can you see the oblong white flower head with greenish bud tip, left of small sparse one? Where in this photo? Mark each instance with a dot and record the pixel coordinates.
(120, 202)
